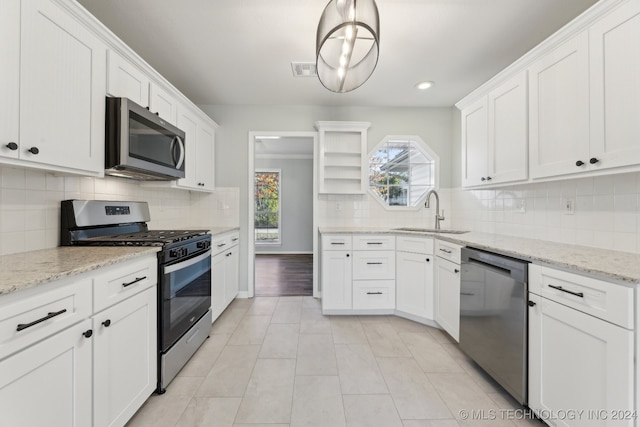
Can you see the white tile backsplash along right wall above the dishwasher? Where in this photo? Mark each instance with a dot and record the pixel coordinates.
(604, 211)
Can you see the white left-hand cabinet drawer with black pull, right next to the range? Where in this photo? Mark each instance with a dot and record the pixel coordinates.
(118, 282)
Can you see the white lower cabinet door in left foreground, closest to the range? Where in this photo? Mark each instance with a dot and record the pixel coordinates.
(125, 358)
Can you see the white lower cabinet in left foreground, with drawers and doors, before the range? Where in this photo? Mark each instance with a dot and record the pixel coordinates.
(62, 364)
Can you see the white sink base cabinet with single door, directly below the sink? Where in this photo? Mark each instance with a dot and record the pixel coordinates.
(414, 278)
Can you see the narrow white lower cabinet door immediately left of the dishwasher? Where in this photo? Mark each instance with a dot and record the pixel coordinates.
(447, 296)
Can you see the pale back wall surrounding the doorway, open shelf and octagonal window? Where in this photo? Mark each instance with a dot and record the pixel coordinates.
(433, 125)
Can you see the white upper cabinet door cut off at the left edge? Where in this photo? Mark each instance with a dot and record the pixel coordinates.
(9, 78)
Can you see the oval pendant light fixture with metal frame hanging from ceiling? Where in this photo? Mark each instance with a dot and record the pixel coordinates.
(347, 44)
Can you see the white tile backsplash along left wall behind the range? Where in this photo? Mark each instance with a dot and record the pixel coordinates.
(30, 205)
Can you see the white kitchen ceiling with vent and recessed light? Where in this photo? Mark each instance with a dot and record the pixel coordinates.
(240, 51)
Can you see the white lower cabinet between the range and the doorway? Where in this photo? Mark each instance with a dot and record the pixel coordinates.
(224, 272)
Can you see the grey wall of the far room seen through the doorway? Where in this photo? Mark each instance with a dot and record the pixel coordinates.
(296, 205)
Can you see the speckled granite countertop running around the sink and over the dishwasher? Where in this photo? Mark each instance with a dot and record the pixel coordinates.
(618, 266)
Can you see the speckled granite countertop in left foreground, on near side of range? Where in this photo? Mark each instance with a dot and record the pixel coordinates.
(27, 269)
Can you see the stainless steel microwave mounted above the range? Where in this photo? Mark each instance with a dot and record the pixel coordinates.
(141, 145)
